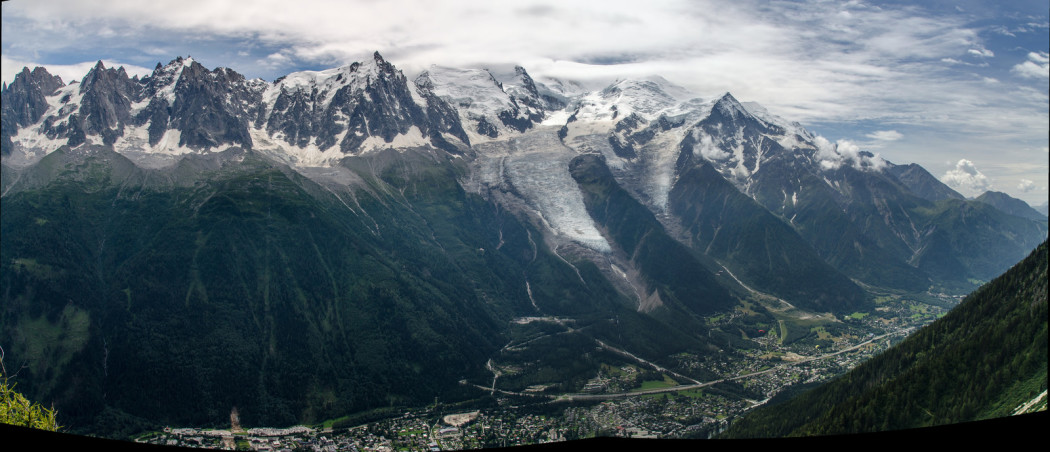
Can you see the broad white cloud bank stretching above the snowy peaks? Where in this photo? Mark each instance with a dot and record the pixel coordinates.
(811, 60)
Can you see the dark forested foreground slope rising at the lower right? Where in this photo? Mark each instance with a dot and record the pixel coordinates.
(983, 360)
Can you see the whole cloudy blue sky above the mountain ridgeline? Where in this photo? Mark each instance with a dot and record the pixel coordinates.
(960, 88)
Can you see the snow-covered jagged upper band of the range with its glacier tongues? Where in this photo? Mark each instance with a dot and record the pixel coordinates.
(509, 132)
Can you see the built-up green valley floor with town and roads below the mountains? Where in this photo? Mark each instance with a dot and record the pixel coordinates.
(627, 396)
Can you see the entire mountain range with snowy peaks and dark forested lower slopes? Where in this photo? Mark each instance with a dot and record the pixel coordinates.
(349, 239)
